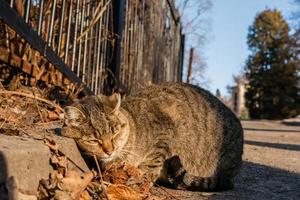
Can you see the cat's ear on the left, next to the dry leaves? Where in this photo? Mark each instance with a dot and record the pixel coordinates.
(73, 116)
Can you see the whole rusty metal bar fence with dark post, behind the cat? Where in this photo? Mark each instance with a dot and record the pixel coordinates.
(130, 42)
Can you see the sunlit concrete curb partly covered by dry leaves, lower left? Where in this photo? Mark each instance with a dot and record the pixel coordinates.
(26, 160)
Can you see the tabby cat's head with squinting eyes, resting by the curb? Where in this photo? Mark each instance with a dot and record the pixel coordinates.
(97, 125)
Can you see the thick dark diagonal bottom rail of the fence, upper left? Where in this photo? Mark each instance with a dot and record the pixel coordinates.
(16, 22)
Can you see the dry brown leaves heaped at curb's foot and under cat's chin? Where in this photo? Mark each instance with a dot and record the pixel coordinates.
(120, 181)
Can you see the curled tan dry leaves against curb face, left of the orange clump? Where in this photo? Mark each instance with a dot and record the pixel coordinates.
(64, 184)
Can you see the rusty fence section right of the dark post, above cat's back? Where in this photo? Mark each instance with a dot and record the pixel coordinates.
(151, 43)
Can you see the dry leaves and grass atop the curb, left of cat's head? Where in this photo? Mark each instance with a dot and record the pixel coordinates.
(26, 110)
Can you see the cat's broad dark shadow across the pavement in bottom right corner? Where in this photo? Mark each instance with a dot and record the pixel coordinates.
(255, 182)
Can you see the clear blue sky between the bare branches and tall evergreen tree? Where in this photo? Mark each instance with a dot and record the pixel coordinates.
(226, 49)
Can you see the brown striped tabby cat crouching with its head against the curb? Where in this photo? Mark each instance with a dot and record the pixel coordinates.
(180, 133)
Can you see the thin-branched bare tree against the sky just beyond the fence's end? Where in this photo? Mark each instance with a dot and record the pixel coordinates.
(195, 27)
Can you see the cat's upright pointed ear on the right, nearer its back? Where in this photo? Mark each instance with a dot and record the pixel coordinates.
(113, 102)
